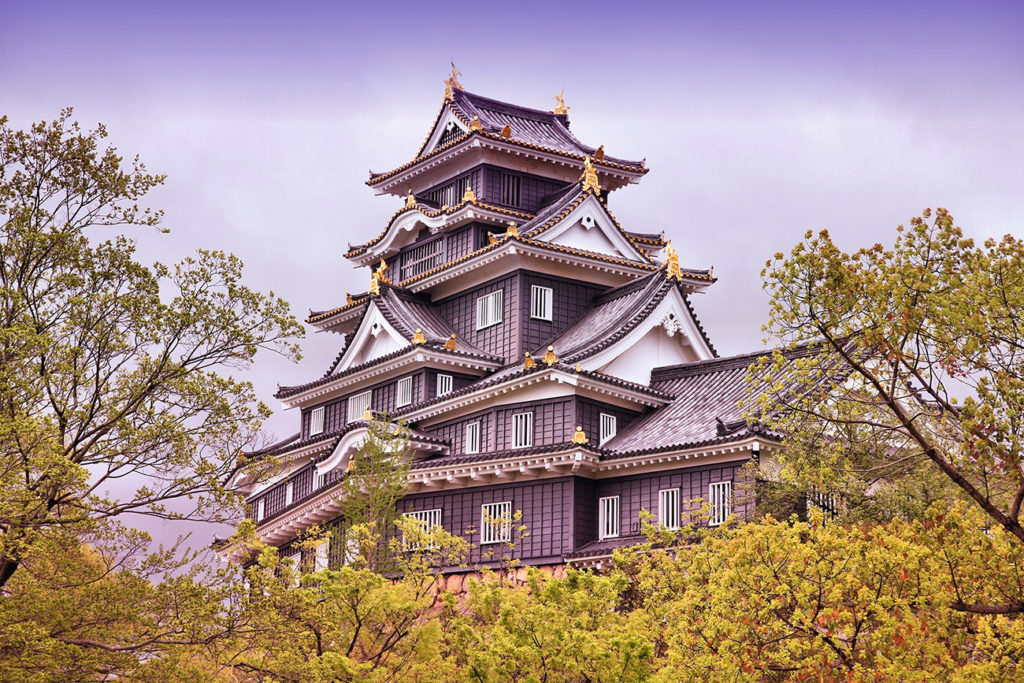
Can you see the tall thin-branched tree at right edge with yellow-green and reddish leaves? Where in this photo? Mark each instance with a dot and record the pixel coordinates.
(916, 383)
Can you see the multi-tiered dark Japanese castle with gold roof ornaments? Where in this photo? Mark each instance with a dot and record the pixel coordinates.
(546, 359)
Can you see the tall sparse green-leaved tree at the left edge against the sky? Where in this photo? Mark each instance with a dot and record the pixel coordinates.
(111, 370)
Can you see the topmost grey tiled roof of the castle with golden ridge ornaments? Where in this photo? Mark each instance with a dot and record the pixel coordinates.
(471, 130)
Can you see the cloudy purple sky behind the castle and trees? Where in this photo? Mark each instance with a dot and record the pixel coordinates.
(758, 121)
